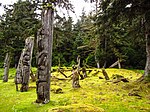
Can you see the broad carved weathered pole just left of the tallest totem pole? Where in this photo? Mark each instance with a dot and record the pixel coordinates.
(26, 63)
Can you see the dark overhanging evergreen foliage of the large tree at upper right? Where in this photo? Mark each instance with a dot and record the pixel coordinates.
(134, 14)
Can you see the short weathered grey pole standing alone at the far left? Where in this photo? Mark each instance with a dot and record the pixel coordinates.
(6, 67)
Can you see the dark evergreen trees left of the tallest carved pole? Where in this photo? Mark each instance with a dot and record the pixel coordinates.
(17, 23)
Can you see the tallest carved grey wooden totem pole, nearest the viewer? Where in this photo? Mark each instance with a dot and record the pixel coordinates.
(45, 42)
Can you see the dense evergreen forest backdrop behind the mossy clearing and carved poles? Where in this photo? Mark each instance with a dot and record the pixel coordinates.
(91, 37)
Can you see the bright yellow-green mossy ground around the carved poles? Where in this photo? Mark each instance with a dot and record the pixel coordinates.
(95, 95)
